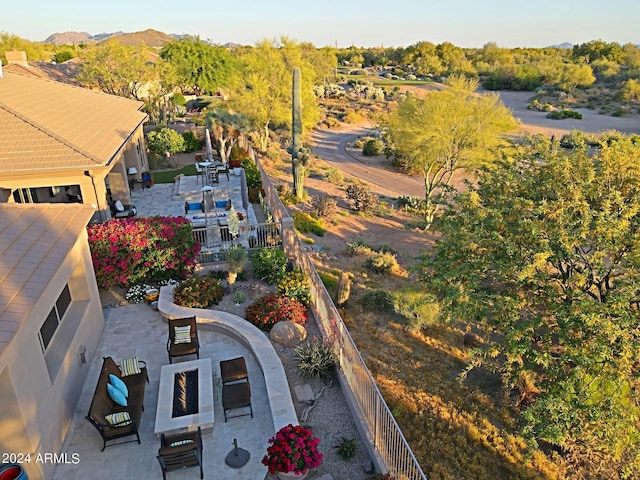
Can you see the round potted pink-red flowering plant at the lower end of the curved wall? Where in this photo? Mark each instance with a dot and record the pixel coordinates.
(293, 449)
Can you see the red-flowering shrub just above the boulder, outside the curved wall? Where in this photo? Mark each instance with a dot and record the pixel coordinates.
(266, 311)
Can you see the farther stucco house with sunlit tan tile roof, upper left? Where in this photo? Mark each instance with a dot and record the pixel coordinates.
(60, 143)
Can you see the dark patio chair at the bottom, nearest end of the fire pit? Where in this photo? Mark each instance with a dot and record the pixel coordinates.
(183, 450)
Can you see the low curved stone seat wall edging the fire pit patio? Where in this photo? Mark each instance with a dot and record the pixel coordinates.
(254, 339)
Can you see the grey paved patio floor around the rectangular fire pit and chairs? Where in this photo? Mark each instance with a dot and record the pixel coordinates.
(138, 330)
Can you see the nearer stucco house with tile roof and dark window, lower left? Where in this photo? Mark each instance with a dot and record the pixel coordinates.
(51, 321)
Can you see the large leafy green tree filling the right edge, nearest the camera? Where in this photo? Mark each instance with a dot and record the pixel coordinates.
(544, 255)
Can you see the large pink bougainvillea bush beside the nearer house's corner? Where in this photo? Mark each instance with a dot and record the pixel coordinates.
(141, 249)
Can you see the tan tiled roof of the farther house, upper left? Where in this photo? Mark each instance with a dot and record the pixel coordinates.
(47, 124)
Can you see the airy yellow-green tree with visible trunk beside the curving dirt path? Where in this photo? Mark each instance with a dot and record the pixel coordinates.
(446, 131)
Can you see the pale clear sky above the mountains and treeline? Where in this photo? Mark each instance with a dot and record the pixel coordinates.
(395, 23)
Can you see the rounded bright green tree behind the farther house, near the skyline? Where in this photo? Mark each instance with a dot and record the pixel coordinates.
(200, 67)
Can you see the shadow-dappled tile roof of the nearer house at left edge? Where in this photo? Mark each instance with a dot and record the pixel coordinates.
(34, 241)
